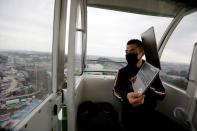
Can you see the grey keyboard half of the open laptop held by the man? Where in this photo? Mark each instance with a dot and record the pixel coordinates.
(145, 77)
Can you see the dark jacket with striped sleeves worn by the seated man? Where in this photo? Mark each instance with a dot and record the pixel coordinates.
(123, 85)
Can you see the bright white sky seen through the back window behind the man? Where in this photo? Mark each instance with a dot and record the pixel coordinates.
(107, 28)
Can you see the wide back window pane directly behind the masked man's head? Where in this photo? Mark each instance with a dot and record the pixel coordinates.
(108, 33)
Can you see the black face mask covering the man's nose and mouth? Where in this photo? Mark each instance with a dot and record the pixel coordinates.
(132, 59)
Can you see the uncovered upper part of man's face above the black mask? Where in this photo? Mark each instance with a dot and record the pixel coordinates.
(134, 49)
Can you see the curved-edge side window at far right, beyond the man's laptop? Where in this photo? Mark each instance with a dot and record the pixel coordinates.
(176, 57)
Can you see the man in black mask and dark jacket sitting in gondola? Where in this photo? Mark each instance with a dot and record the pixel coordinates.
(137, 108)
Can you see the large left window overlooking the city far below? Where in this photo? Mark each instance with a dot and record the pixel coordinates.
(26, 32)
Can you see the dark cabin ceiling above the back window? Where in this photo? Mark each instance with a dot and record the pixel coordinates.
(150, 7)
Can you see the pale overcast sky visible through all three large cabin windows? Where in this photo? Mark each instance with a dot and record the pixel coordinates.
(28, 25)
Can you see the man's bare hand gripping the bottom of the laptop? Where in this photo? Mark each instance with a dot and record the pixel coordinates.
(135, 99)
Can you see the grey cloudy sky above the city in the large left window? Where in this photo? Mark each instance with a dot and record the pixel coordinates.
(26, 24)
